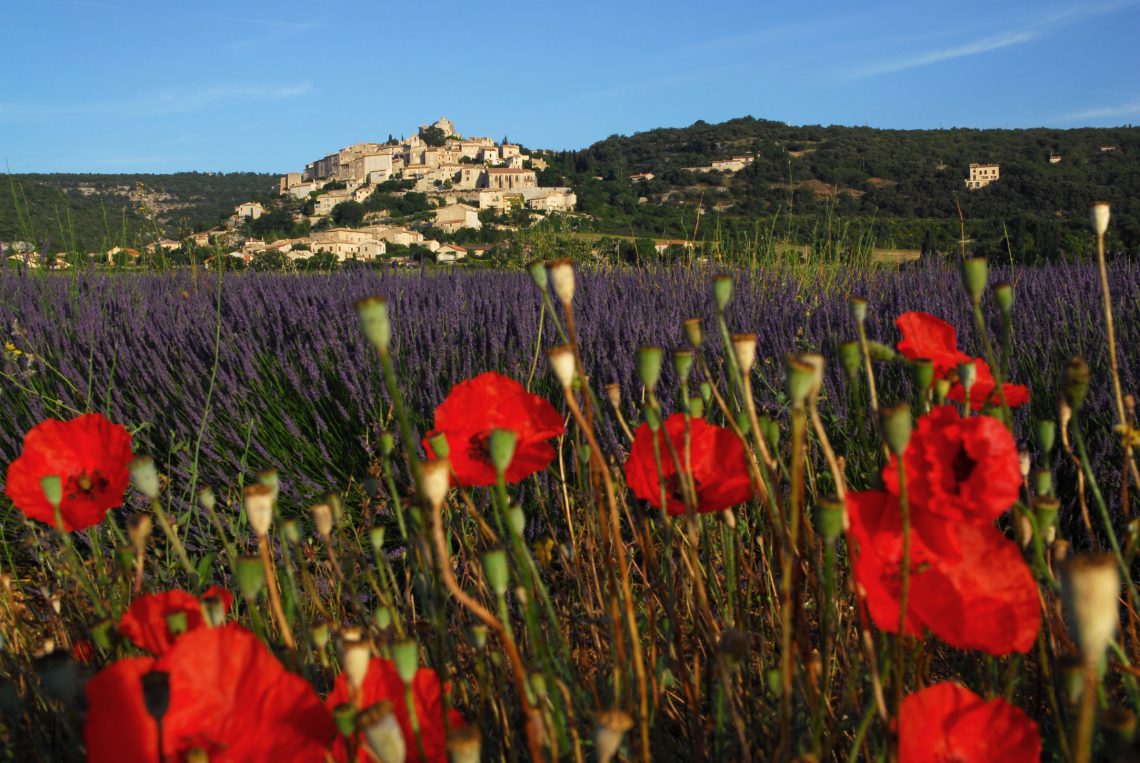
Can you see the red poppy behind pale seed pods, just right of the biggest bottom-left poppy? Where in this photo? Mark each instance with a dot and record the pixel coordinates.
(384, 683)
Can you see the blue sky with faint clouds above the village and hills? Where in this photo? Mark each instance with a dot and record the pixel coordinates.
(160, 86)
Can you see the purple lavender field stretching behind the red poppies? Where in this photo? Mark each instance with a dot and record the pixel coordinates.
(296, 387)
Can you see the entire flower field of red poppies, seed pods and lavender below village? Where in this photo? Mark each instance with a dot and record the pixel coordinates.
(820, 540)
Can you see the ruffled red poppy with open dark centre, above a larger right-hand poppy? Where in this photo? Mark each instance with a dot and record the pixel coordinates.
(957, 470)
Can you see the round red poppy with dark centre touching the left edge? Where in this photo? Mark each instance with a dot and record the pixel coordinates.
(89, 454)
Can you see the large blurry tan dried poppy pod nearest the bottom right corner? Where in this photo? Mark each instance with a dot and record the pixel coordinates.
(1090, 588)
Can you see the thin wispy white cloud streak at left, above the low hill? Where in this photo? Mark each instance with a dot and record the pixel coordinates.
(159, 103)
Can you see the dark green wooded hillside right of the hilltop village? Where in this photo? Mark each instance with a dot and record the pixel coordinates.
(901, 183)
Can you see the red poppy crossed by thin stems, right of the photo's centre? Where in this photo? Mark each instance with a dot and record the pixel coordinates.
(720, 468)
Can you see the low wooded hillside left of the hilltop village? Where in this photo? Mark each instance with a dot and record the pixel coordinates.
(89, 213)
